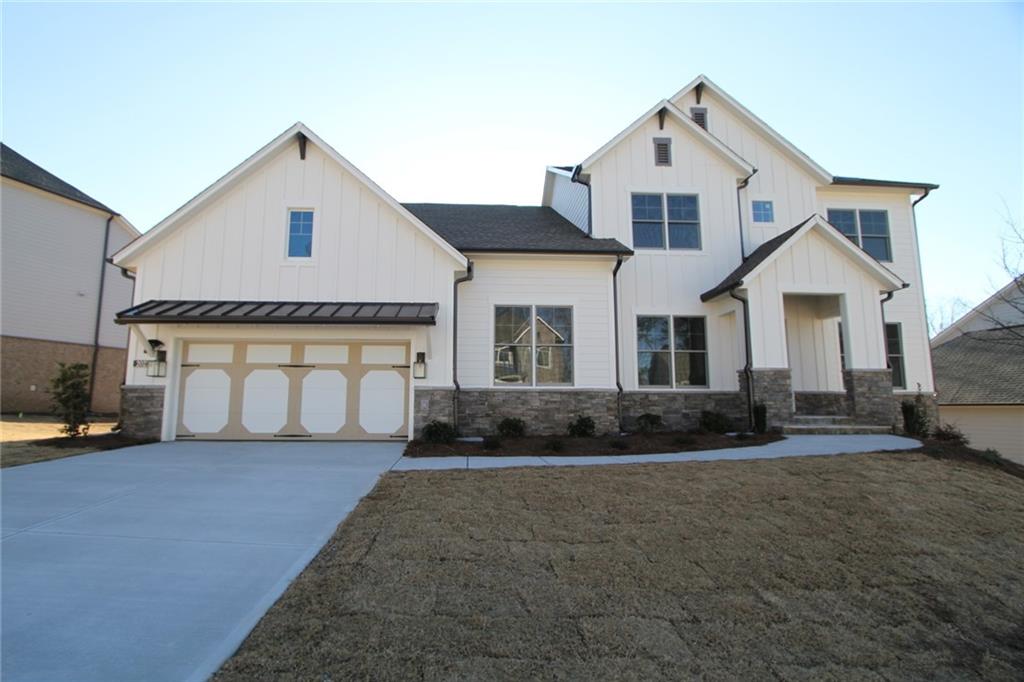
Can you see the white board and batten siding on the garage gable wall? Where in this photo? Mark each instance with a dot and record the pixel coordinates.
(235, 248)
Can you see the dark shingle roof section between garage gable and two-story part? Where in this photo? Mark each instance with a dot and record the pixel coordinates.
(510, 229)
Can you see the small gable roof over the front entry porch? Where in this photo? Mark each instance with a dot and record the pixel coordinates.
(771, 250)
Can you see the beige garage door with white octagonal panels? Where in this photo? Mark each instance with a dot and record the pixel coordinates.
(277, 391)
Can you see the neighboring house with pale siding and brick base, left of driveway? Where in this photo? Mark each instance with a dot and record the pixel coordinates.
(60, 295)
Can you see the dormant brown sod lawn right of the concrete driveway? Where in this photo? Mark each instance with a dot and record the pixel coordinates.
(869, 567)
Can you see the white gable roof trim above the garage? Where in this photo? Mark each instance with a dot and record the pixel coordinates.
(300, 131)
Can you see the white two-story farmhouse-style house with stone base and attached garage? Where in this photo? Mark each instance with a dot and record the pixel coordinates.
(696, 262)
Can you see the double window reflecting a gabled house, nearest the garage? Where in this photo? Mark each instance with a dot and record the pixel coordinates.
(534, 346)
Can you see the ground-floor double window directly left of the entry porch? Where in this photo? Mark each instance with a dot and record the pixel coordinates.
(672, 352)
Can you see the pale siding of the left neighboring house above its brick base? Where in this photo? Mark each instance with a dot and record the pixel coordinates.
(52, 258)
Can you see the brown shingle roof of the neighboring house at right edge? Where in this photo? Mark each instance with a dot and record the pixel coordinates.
(982, 368)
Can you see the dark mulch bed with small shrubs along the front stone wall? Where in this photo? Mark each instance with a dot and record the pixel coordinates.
(633, 444)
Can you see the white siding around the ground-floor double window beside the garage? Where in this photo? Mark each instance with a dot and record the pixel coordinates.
(584, 284)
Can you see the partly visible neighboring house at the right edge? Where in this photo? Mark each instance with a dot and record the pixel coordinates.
(979, 373)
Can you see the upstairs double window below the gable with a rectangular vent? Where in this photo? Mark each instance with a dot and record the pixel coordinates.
(661, 220)
